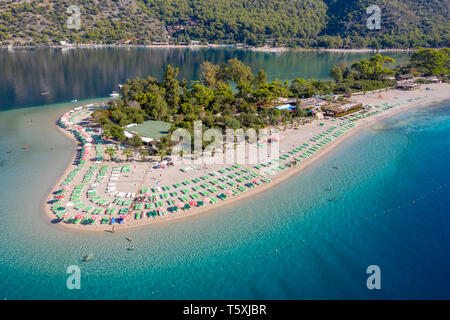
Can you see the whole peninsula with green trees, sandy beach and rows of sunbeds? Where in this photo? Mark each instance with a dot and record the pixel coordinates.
(128, 172)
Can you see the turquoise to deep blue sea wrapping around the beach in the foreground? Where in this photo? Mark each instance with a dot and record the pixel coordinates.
(291, 242)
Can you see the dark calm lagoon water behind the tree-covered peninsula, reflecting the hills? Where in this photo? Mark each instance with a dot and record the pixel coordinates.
(30, 77)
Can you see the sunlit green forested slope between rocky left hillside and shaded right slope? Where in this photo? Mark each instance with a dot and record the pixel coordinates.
(250, 21)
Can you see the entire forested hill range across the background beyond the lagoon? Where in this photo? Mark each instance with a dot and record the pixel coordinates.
(305, 23)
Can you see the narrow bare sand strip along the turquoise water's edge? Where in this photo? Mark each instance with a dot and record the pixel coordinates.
(275, 180)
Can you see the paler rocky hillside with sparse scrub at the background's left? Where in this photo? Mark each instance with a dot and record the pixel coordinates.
(40, 22)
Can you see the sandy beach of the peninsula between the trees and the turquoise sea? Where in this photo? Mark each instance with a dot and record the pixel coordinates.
(143, 175)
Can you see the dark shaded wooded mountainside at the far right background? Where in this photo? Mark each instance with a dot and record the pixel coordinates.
(404, 23)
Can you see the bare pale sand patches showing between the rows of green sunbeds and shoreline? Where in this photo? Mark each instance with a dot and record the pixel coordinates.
(143, 175)
